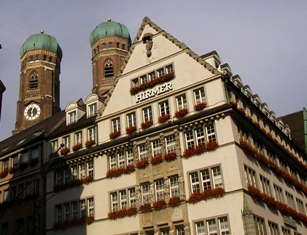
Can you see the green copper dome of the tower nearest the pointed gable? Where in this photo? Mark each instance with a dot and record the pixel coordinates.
(107, 29)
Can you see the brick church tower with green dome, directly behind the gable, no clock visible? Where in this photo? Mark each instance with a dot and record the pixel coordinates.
(110, 42)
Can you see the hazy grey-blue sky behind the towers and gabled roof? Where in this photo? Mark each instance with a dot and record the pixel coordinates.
(265, 42)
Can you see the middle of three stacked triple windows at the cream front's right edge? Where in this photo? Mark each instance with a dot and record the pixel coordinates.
(208, 178)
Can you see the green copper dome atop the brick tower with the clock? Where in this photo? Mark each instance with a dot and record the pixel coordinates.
(41, 41)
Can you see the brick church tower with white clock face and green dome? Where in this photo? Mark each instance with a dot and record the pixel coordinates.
(39, 91)
